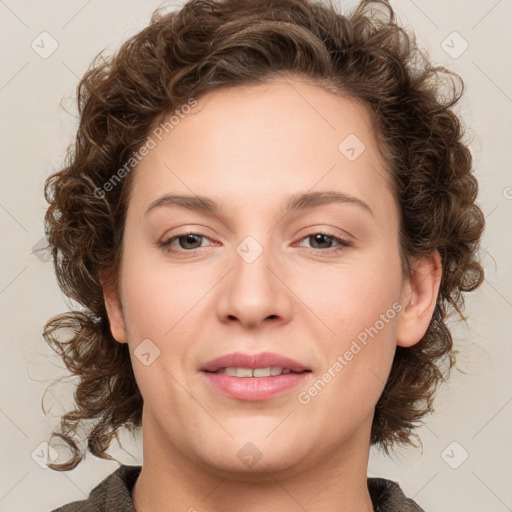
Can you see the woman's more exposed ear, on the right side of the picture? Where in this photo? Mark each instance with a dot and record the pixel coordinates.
(419, 298)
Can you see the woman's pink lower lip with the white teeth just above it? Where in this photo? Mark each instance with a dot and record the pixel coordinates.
(253, 389)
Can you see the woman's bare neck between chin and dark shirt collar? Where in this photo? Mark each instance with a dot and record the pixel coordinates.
(171, 482)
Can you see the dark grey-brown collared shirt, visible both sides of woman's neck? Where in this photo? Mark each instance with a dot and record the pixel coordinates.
(113, 494)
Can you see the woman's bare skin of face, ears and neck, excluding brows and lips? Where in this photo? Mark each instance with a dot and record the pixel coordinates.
(250, 149)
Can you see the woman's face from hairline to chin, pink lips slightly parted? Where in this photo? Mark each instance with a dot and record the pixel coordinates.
(257, 277)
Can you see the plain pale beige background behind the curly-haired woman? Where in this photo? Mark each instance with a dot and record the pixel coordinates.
(474, 410)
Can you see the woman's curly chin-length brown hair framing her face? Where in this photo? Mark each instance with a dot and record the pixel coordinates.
(210, 44)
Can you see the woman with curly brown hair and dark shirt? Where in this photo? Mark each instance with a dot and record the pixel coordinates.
(268, 215)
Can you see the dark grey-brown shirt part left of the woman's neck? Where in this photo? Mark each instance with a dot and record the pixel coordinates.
(111, 494)
